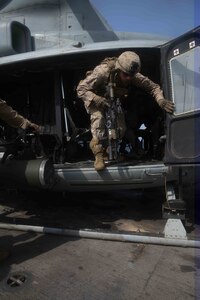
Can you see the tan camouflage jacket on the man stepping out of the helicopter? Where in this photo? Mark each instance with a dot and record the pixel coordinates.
(96, 82)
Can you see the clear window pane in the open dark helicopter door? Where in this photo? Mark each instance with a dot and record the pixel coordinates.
(185, 78)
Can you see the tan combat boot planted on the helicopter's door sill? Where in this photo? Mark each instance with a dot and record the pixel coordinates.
(97, 150)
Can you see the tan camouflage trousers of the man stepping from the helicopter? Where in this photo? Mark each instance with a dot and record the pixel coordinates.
(98, 124)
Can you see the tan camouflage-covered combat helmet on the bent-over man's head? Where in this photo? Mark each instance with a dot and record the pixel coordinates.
(128, 62)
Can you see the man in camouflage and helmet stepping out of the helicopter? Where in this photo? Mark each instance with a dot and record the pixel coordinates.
(124, 71)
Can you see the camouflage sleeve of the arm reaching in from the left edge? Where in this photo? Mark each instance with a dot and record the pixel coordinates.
(11, 117)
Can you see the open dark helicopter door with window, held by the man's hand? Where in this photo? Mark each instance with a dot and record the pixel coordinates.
(181, 78)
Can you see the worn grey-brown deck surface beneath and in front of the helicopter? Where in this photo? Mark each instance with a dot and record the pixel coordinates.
(45, 266)
